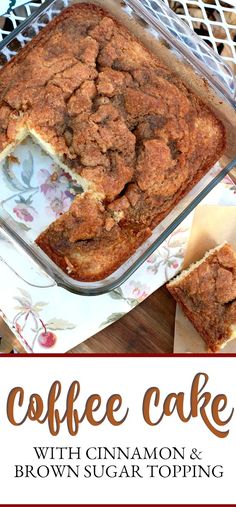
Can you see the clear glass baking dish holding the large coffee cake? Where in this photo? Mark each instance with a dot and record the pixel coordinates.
(199, 67)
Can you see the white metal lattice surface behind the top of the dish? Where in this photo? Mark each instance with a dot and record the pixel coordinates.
(213, 20)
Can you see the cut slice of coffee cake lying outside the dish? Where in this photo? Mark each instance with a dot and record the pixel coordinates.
(207, 295)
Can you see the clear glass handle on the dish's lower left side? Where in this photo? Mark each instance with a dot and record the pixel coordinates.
(17, 260)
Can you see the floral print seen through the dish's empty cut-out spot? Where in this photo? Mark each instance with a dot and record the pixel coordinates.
(32, 183)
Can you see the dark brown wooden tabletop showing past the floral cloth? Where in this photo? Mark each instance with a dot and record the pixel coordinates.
(149, 328)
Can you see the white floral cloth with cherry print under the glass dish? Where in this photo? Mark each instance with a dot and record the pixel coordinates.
(51, 319)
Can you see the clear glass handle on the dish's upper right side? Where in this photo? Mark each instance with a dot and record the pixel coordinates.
(161, 17)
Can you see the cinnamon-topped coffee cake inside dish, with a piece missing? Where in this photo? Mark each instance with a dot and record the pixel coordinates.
(124, 126)
